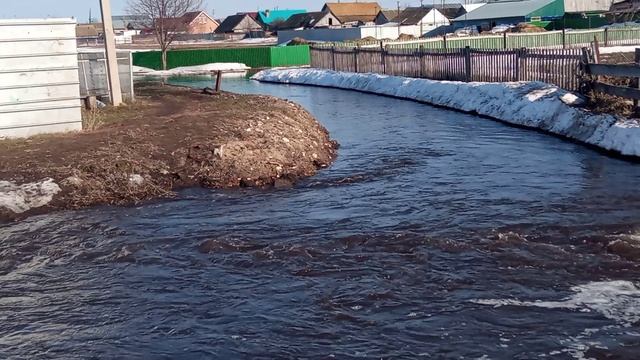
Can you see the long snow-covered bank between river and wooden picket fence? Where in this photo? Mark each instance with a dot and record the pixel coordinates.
(531, 104)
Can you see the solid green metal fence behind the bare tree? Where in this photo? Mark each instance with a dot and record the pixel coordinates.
(253, 57)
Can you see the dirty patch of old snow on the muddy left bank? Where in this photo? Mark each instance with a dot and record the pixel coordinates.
(22, 198)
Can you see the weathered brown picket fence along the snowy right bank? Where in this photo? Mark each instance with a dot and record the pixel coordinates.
(556, 66)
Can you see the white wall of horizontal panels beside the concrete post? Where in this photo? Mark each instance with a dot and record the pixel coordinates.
(39, 87)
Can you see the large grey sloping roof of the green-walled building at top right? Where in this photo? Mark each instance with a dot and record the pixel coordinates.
(504, 9)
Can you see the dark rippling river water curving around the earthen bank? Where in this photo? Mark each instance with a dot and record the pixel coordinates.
(435, 234)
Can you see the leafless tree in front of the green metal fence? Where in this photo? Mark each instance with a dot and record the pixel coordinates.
(163, 17)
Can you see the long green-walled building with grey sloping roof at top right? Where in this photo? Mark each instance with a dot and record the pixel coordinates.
(508, 12)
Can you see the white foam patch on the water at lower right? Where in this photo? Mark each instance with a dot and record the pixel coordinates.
(615, 300)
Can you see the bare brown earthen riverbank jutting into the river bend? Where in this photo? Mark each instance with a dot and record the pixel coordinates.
(171, 138)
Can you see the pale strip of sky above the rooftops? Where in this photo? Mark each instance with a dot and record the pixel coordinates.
(79, 9)
